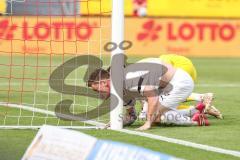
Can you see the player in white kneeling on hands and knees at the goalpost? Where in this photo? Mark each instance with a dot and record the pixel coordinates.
(163, 86)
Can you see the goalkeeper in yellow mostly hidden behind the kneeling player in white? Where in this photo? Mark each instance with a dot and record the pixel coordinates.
(205, 100)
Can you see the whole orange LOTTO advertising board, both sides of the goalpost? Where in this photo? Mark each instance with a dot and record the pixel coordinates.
(150, 37)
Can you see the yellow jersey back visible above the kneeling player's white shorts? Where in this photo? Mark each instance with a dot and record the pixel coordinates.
(182, 62)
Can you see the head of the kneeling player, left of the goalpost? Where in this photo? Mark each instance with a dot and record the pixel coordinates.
(99, 81)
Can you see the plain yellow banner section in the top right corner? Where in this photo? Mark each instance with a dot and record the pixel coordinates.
(194, 8)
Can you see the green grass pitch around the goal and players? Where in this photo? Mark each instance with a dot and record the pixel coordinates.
(217, 75)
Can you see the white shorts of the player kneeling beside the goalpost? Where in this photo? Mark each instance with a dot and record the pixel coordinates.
(182, 87)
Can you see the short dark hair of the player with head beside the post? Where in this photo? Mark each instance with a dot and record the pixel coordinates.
(97, 75)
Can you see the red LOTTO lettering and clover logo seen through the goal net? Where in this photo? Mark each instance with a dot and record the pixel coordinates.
(43, 30)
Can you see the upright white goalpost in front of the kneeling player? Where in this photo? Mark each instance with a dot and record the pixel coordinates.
(117, 63)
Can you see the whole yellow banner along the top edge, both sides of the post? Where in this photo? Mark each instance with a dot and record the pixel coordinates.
(170, 8)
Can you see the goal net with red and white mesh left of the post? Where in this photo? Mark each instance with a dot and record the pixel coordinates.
(48, 48)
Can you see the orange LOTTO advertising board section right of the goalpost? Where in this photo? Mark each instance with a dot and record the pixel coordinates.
(190, 37)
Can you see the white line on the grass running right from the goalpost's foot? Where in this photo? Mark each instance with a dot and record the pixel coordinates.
(183, 142)
